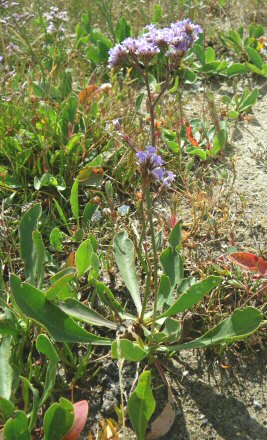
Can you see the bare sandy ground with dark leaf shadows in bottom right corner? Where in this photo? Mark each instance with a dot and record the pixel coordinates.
(217, 403)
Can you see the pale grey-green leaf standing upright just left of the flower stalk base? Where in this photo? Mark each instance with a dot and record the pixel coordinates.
(124, 256)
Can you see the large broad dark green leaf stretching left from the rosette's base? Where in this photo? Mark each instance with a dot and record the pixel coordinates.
(34, 304)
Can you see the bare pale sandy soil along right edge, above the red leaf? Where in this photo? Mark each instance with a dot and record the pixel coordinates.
(251, 176)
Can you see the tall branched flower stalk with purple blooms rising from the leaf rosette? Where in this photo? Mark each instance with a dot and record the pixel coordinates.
(173, 42)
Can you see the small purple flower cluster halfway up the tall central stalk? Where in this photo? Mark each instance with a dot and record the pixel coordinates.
(152, 166)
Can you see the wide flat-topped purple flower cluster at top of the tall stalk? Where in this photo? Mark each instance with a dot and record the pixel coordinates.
(174, 41)
